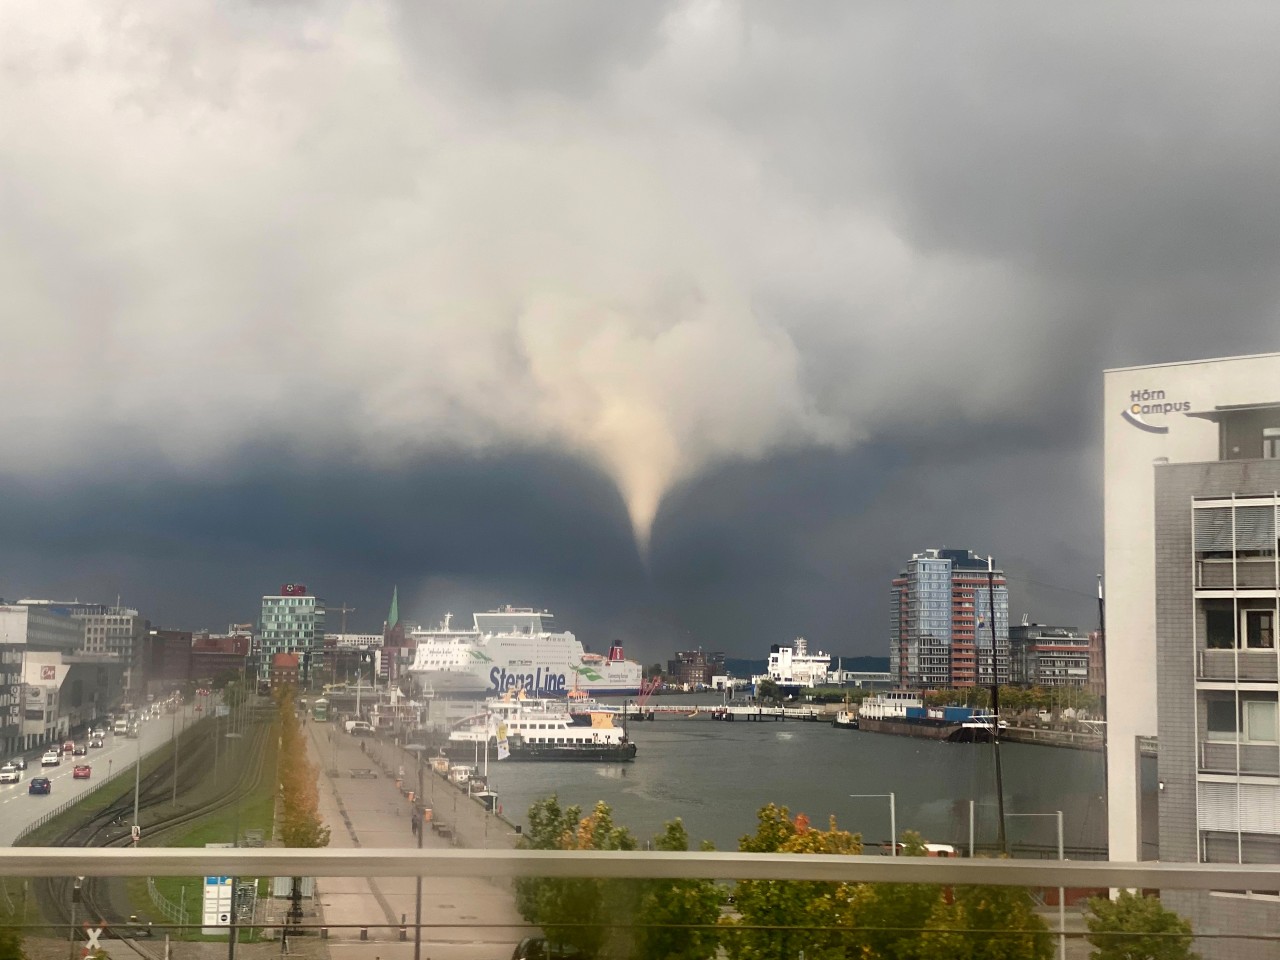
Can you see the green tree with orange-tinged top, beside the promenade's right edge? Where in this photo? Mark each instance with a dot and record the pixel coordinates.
(593, 915)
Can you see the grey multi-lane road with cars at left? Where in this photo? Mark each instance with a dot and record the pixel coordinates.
(20, 810)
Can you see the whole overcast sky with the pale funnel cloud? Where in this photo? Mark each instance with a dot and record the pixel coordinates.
(691, 322)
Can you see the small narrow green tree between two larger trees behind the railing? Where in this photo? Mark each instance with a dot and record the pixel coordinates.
(678, 918)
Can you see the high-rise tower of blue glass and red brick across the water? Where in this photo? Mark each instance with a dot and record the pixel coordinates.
(943, 632)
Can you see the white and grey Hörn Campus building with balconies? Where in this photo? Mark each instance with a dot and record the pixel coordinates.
(1192, 459)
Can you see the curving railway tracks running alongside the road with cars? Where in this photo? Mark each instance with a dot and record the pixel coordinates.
(112, 828)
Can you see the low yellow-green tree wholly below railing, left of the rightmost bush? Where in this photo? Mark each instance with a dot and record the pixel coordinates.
(986, 924)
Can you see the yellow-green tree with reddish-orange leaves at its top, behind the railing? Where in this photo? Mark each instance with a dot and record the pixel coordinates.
(781, 918)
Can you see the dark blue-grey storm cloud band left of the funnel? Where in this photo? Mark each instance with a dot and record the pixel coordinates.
(529, 529)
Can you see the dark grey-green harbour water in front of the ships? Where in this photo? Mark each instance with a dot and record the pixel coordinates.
(716, 776)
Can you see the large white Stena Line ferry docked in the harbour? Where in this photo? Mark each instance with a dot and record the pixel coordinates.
(516, 648)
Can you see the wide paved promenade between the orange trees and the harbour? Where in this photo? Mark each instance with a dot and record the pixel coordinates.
(464, 918)
